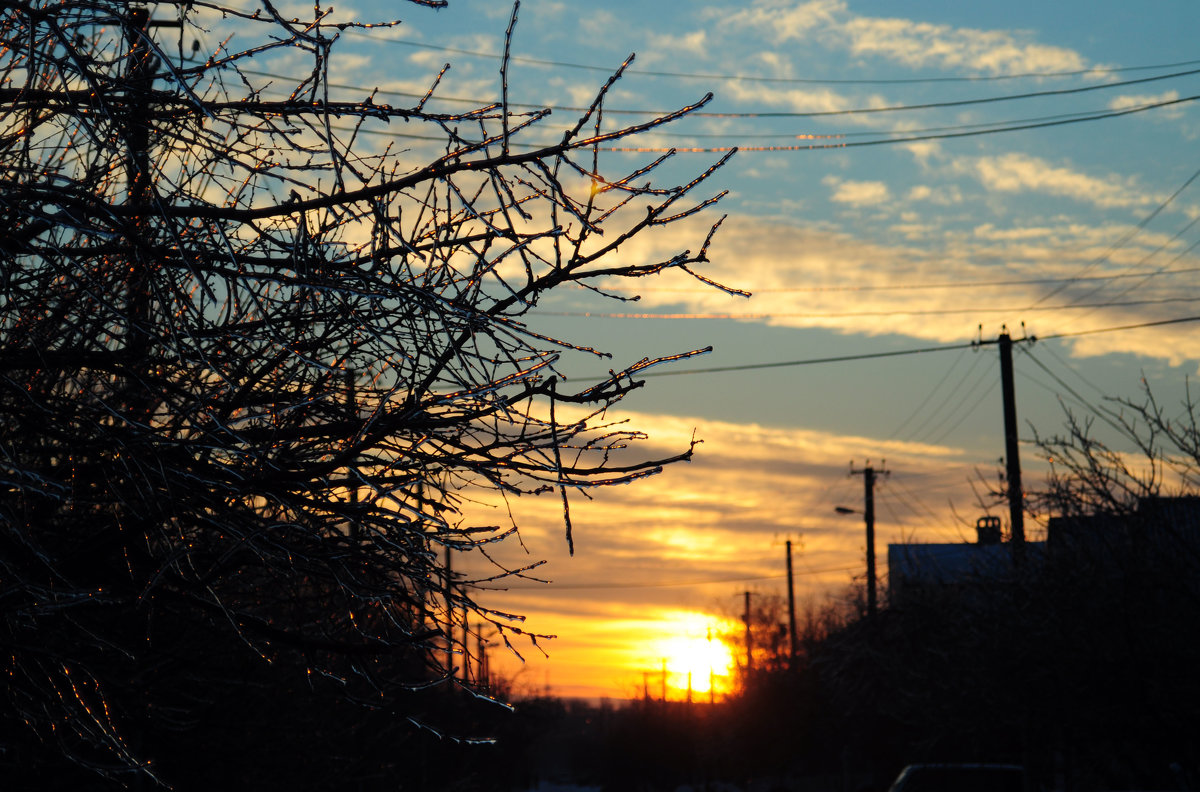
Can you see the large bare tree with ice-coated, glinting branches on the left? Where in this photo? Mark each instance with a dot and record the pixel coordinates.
(255, 370)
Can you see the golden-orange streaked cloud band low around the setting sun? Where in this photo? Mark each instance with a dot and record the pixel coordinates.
(697, 536)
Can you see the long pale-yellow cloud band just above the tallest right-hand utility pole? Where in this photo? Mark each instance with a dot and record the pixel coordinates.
(807, 277)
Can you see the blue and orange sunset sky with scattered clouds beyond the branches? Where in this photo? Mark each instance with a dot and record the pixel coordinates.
(910, 177)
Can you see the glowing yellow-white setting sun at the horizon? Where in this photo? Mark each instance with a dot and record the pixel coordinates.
(694, 657)
